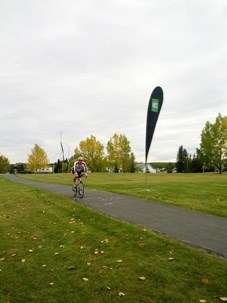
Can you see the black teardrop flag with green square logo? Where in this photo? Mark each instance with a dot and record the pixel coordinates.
(154, 108)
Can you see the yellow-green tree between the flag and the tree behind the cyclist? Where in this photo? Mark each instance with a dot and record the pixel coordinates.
(118, 148)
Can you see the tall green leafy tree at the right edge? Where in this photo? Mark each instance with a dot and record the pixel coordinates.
(214, 143)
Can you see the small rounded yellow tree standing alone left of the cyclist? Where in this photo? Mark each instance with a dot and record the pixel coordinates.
(37, 159)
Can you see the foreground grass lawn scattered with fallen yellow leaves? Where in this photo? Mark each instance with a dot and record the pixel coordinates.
(55, 250)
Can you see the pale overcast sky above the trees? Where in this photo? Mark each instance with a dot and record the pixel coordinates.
(70, 69)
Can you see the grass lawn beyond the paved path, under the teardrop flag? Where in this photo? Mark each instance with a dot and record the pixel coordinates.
(200, 192)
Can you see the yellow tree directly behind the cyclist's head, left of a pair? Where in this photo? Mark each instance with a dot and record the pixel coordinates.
(93, 152)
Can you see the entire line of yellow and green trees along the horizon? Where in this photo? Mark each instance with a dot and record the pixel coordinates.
(118, 157)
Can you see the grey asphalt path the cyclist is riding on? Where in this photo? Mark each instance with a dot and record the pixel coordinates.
(195, 229)
